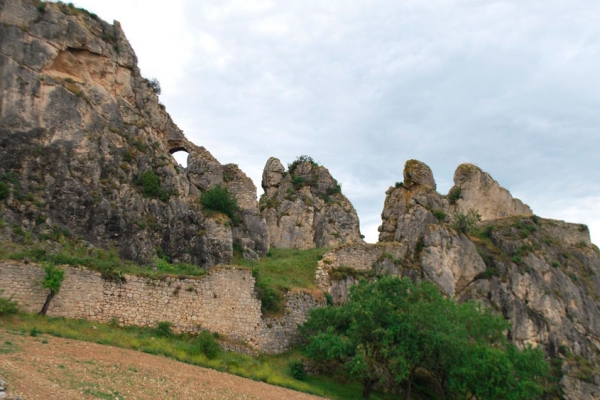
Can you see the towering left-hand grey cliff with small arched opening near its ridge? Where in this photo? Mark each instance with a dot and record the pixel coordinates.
(80, 128)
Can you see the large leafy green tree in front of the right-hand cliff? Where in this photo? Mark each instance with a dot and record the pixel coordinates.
(392, 332)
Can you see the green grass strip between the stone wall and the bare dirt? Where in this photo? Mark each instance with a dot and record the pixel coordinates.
(271, 369)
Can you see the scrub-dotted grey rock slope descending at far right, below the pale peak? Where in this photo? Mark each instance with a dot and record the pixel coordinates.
(548, 288)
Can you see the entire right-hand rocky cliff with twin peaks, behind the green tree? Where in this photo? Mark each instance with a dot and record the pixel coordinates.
(542, 275)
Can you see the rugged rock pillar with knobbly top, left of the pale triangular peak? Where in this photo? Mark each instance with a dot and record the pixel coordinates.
(414, 216)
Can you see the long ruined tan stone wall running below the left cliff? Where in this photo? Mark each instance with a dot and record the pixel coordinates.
(222, 301)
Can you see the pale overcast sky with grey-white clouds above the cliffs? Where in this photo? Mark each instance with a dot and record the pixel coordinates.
(363, 86)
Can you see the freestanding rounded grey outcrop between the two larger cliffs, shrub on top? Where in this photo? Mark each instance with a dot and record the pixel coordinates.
(304, 207)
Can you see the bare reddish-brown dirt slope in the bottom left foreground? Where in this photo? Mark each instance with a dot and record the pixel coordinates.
(47, 367)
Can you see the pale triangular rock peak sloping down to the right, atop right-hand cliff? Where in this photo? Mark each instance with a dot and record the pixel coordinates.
(479, 191)
